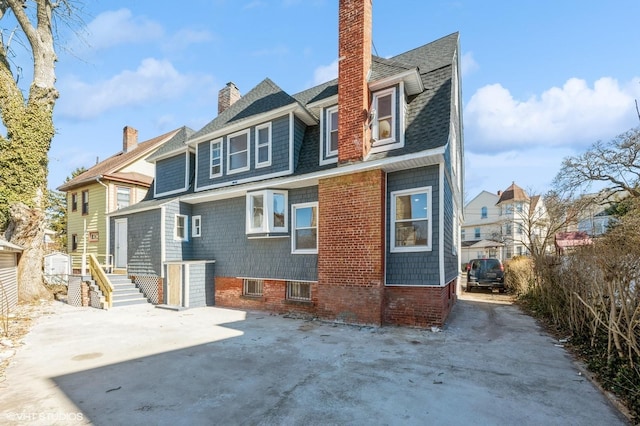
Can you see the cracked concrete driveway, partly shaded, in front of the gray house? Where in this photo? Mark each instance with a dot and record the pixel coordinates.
(138, 365)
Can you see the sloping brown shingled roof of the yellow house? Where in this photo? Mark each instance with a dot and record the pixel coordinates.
(112, 166)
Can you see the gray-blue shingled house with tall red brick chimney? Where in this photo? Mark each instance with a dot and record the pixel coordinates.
(342, 201)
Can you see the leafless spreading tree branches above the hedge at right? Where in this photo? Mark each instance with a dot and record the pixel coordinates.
(615, 163)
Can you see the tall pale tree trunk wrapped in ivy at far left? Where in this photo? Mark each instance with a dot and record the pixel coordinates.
(29, 130)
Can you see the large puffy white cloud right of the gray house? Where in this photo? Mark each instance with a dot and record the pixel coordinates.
(572, 115)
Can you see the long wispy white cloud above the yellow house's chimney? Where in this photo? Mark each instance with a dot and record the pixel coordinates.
(154, 80)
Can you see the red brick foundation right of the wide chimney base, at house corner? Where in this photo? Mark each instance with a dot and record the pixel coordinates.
(419, 306)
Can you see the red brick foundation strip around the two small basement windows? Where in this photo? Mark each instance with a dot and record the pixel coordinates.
(228, 294)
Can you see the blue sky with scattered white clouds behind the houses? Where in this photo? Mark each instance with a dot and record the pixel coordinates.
(541, 79)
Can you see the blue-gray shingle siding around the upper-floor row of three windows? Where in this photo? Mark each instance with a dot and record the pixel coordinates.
(279, 156)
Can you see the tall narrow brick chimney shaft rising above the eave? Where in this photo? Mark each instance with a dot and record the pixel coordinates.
(354, 45)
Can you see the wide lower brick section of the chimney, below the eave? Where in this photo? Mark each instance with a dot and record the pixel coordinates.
(351, 247)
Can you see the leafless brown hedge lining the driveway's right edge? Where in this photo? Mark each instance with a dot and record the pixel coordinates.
(593, 295)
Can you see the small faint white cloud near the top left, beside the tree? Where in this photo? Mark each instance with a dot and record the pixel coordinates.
(112, 28)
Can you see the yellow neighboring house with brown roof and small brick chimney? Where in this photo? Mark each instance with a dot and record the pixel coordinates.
(120, 180)
